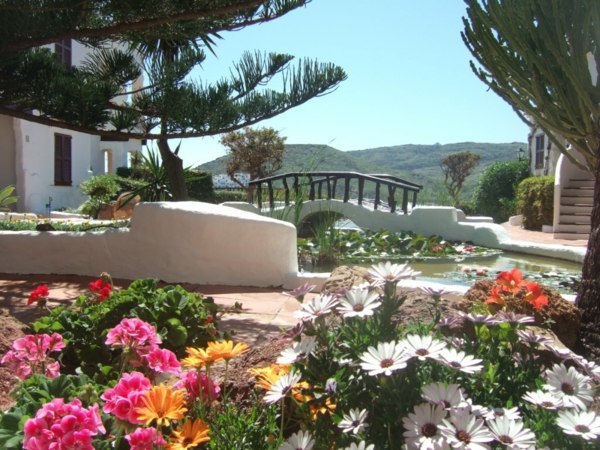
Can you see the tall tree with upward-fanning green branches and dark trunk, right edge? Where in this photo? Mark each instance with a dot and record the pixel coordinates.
(542, 57)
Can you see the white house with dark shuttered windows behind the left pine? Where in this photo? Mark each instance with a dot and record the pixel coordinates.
(48, 164)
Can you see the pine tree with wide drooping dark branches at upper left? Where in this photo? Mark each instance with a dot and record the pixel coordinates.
(163, 40)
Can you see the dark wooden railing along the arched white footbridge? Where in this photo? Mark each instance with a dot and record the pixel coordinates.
(326, 185)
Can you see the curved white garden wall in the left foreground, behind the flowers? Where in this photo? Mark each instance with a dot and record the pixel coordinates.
(176, 242)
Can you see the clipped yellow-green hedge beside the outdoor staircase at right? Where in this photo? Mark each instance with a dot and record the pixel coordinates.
(535, 201)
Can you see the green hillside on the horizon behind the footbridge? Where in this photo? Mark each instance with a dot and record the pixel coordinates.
(417, 163)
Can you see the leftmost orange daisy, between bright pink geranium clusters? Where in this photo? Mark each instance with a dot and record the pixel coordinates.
(162, 404)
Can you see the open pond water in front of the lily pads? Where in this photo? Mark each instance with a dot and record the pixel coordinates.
(555, 273)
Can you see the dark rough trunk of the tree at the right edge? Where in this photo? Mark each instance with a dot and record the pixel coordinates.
(588, 295)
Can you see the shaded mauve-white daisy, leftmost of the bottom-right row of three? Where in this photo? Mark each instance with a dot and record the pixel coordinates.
(422, 426)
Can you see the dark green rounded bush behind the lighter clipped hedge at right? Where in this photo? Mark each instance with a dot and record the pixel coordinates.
(496, 190)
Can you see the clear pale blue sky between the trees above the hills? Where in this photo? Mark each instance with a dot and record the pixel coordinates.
(409, 80)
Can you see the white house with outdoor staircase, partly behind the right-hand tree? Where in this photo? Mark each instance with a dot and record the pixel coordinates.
(573, 187)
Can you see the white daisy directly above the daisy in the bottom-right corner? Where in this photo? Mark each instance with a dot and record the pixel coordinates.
(572, 387)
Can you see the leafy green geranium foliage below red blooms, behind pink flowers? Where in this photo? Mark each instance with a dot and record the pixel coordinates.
(181, 318)
